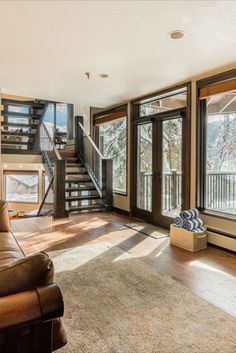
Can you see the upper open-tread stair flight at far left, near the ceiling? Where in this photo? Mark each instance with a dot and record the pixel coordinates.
(20, 123)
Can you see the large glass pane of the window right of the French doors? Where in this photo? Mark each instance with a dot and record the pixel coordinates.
(220, 194)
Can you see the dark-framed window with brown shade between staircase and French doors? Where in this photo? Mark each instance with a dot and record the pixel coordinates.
(110, 130)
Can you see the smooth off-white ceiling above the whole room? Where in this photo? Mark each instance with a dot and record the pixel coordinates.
(47, 46)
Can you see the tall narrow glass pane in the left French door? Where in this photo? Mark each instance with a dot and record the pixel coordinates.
(144, 167)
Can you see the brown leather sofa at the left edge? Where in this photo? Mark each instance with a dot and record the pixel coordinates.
(30, 303)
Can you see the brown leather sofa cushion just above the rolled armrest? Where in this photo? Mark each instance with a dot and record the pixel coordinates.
(26, 273)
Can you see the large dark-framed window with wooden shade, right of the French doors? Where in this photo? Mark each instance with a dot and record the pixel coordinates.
(216, 182)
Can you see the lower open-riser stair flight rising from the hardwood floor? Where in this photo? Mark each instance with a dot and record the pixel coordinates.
(81, 193)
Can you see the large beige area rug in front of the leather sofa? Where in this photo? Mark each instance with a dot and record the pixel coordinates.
(115, 303)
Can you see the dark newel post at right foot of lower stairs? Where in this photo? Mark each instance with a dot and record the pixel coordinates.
(107, 183)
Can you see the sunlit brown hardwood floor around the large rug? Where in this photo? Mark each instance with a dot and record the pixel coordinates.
(211, 273)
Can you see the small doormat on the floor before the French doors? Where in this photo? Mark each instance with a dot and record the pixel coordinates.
(149, 229)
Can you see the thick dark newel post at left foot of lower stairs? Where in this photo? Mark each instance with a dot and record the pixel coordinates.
(59, 210)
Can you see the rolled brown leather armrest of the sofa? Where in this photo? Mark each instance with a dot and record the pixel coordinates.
(29, 307)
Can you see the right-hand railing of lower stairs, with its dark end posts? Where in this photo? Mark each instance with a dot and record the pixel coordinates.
(99, 168)
